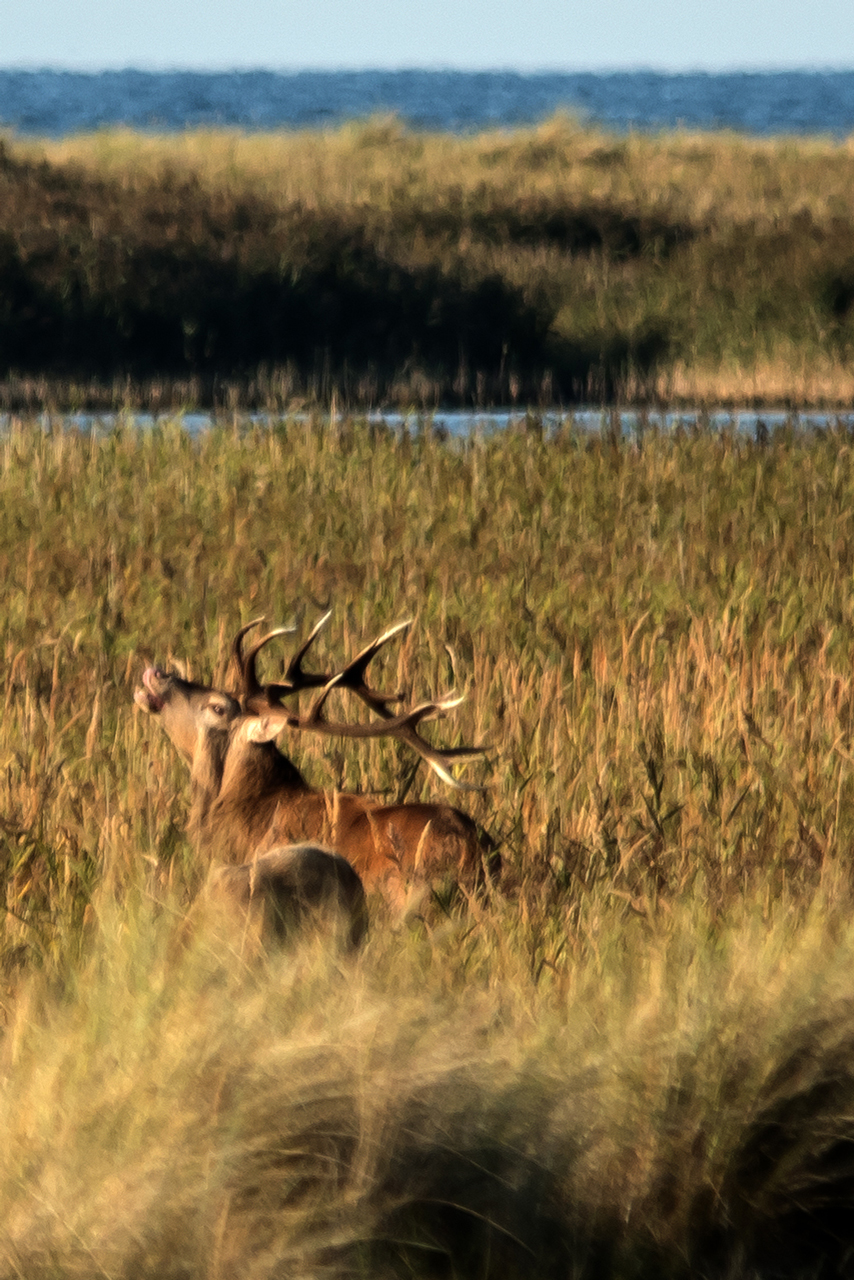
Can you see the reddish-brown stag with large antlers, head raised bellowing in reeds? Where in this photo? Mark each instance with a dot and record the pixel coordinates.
(248, 798)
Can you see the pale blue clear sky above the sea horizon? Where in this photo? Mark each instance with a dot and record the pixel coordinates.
(524, 35)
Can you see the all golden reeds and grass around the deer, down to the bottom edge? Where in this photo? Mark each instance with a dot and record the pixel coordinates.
(636, 1055)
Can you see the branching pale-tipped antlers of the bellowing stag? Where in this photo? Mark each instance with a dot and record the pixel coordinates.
(264, 701)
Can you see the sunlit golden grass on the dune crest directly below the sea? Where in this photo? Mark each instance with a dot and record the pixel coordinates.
(695, 176)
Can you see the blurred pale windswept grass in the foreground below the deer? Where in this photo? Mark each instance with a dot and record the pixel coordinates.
(677, 1103)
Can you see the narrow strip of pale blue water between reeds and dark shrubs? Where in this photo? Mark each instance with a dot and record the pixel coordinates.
(464, 424)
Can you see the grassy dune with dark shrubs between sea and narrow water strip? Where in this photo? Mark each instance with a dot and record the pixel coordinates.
(377, 266)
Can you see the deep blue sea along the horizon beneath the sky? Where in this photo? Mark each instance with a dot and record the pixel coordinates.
(52, 103)
